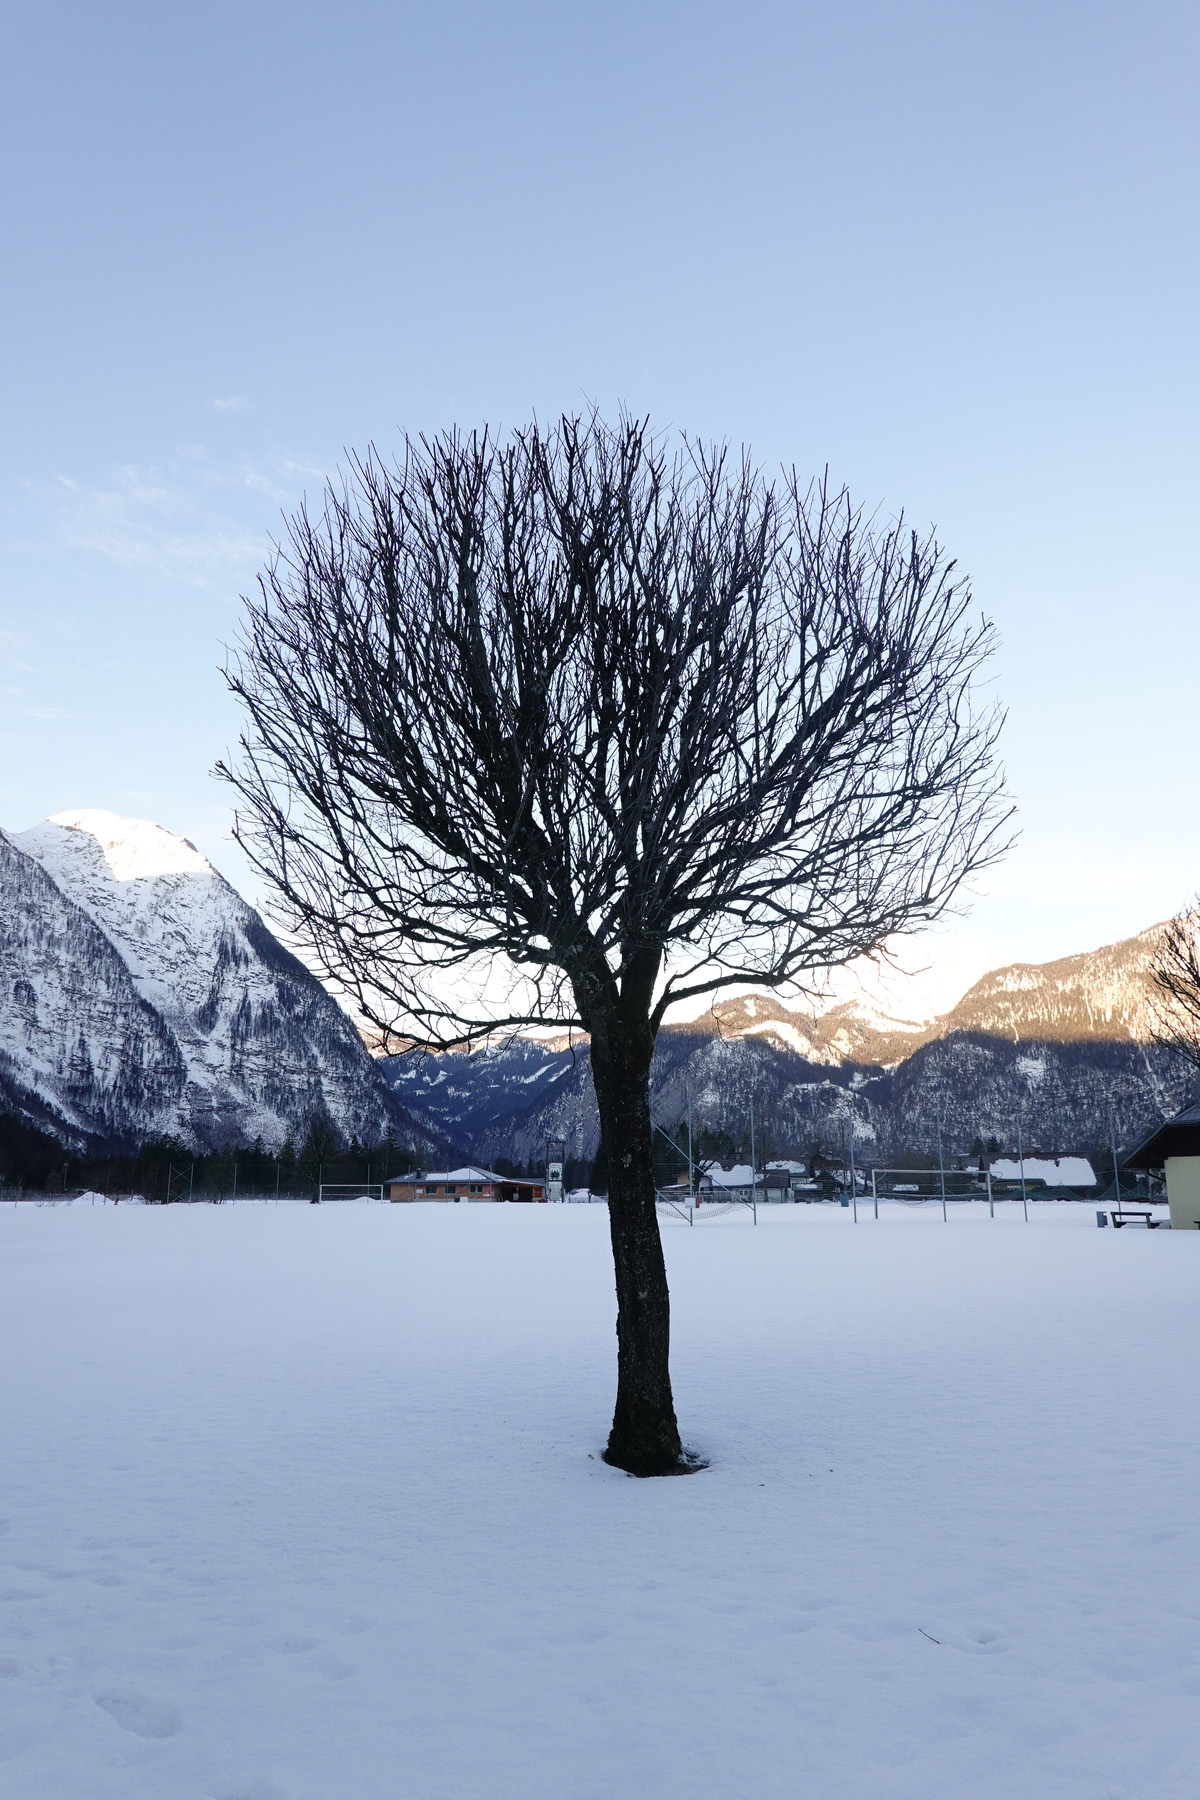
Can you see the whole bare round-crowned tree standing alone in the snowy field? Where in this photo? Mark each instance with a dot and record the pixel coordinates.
(627, 721)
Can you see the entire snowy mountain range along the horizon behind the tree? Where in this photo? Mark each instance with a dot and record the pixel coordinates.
(141, 994)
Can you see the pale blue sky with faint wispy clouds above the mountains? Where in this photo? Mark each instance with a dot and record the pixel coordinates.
(947, 249)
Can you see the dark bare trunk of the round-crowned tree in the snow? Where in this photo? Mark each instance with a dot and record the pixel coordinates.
(645, 1435)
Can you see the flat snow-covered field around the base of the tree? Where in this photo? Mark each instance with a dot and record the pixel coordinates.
(309, 1502)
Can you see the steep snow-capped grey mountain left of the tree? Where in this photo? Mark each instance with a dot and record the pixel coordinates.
(141, 994)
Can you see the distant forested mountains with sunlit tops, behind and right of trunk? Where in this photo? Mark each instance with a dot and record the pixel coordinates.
(1064, 1047)
